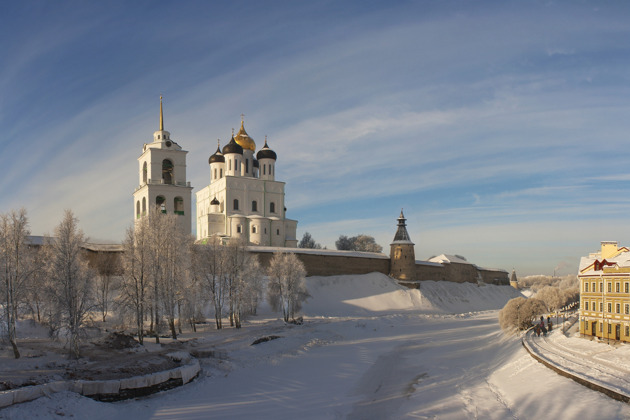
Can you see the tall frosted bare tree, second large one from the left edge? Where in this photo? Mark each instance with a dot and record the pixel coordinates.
(70, 279)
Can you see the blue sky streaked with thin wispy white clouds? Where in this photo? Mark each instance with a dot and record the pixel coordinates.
(500, 127)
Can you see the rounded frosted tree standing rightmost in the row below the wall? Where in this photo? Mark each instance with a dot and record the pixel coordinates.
(286, 289)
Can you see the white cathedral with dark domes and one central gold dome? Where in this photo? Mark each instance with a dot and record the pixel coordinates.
(243, 199)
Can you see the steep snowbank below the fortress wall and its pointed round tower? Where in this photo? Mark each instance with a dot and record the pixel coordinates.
(358, 295)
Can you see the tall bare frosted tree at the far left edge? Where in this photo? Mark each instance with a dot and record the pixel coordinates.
(15, 268)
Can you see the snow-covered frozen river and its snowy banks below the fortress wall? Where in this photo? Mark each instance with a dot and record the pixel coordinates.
(368, 350)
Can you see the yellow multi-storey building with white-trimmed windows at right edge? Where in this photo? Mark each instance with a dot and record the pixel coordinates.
(605, 293)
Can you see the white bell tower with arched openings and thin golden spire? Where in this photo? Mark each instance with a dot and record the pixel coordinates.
(162, 178)
